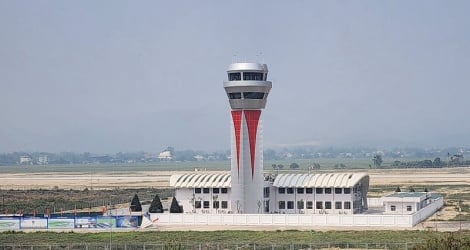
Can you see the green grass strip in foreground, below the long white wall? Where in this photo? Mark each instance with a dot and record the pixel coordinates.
(230, 237)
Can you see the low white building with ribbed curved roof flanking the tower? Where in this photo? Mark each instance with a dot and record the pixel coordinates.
(337, 193)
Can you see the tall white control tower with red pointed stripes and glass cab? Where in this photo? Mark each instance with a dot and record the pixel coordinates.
(247, 90)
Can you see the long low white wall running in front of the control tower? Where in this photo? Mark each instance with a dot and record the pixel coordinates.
(334, 220)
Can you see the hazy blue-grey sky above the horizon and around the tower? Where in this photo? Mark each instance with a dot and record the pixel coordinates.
(109, 76)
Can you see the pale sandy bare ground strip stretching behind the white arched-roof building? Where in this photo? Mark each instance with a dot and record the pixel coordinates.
(105, 180)
